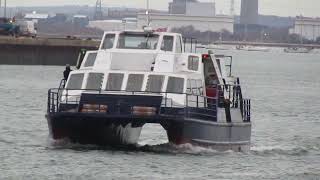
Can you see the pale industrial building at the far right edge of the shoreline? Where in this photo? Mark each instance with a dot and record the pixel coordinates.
(308, 28)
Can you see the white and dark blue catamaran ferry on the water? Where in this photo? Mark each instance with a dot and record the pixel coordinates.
(141, 77)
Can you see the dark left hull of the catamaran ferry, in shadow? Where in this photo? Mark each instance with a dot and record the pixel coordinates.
(88, 130)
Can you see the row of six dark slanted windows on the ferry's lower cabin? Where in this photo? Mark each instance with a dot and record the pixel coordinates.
(135, 82)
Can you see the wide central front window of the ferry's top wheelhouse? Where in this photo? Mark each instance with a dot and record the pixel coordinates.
(138, 41)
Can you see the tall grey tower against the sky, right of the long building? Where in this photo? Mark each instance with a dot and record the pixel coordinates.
(249, 12)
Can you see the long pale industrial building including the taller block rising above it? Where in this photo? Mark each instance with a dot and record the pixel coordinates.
(182, 13)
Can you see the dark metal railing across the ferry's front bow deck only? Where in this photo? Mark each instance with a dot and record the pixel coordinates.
(194, 106)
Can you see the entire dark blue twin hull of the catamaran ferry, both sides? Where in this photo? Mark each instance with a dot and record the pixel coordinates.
(103, 130)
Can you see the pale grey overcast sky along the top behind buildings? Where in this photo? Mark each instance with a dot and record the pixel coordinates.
(274, 7)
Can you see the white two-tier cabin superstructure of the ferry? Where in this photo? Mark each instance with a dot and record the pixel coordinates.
(145, 61)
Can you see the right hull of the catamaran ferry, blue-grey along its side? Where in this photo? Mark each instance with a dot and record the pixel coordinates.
(218, 136)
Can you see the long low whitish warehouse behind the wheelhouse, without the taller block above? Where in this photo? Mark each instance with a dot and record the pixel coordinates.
(201, 23)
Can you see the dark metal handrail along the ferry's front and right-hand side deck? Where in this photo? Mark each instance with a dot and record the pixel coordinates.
(208, 105)
